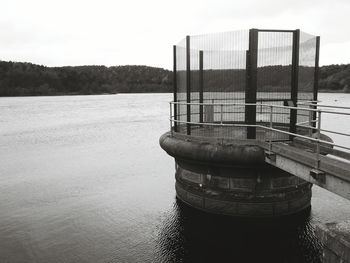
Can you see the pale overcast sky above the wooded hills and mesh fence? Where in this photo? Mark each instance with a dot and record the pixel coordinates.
(136, 32)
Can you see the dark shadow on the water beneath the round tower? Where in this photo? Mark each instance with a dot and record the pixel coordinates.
(189, 235)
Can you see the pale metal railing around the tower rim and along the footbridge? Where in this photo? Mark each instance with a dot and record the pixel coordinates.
(312, 125)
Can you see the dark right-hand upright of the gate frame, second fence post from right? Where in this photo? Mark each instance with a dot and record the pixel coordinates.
(294, 82)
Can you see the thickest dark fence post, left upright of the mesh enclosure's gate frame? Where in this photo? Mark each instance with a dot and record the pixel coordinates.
(251, 83)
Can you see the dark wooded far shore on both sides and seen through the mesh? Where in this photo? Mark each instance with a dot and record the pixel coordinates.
(27, 79)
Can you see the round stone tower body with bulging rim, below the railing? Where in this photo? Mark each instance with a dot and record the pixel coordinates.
(233, 179)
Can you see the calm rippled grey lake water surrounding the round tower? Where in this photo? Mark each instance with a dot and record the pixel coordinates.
(83, 179)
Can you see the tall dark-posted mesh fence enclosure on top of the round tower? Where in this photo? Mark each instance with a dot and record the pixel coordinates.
(236, 73)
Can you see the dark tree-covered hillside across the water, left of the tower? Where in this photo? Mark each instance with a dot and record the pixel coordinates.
(26, 79)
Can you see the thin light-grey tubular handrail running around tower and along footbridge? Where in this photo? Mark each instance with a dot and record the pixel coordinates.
(316, 120)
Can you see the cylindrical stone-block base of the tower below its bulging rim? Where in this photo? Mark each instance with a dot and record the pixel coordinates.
(247, 193)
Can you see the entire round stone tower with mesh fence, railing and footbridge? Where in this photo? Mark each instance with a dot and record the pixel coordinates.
(246, 124)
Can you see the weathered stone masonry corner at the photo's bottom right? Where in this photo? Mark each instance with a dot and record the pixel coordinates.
(336, 240)
